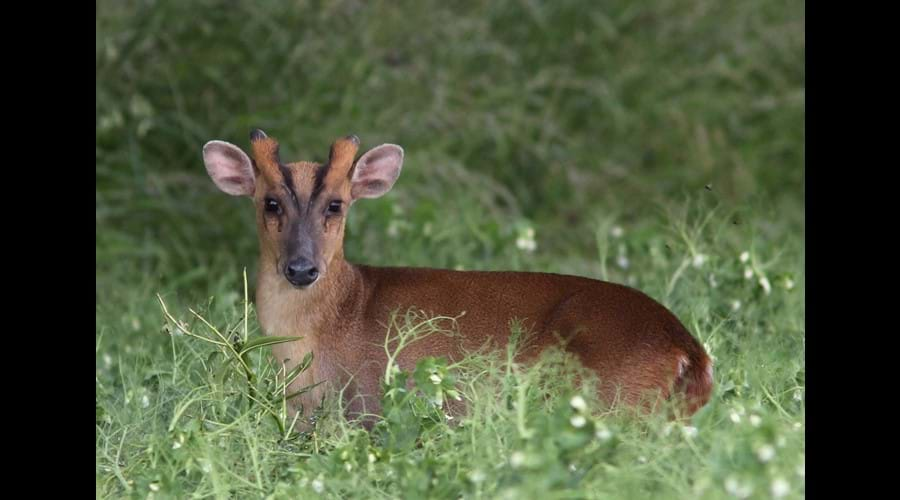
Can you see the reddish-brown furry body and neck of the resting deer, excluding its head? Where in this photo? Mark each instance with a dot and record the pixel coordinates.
(633, 343)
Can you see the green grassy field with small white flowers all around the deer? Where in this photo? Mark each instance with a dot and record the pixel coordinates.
(658, 144)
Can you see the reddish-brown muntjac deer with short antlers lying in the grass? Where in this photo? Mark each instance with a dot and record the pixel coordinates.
(306, 288)
